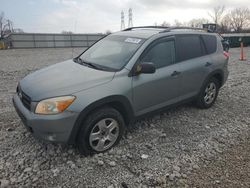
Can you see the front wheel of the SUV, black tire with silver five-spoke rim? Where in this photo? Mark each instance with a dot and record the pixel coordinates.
(101, 130)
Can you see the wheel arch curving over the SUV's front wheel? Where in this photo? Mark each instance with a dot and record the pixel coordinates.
(118, 102)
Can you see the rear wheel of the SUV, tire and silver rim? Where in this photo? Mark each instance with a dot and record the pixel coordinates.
(208, 93)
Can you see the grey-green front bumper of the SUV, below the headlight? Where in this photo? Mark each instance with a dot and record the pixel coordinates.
(53, 128)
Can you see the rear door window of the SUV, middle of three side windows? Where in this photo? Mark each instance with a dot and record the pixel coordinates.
(188, 47)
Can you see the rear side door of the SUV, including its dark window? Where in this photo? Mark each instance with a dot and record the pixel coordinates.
(194, 63)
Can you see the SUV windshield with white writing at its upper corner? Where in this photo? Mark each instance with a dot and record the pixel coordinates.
(112, 52)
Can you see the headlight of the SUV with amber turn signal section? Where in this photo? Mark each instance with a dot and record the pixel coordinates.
(54, 105)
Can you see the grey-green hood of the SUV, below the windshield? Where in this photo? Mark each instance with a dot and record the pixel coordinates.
(63, 78)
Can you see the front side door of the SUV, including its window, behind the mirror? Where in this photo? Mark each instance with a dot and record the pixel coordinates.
(152, 91)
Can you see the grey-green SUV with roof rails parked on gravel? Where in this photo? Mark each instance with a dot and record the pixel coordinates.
(90, 100)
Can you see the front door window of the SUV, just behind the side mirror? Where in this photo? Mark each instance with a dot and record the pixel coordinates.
(161, 54)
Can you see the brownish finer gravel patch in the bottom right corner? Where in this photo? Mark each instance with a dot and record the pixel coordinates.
(230, 169)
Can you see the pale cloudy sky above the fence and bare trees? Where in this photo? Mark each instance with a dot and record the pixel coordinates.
(91, 16)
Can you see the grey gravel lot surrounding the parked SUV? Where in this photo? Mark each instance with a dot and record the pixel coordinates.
(182, 147)
